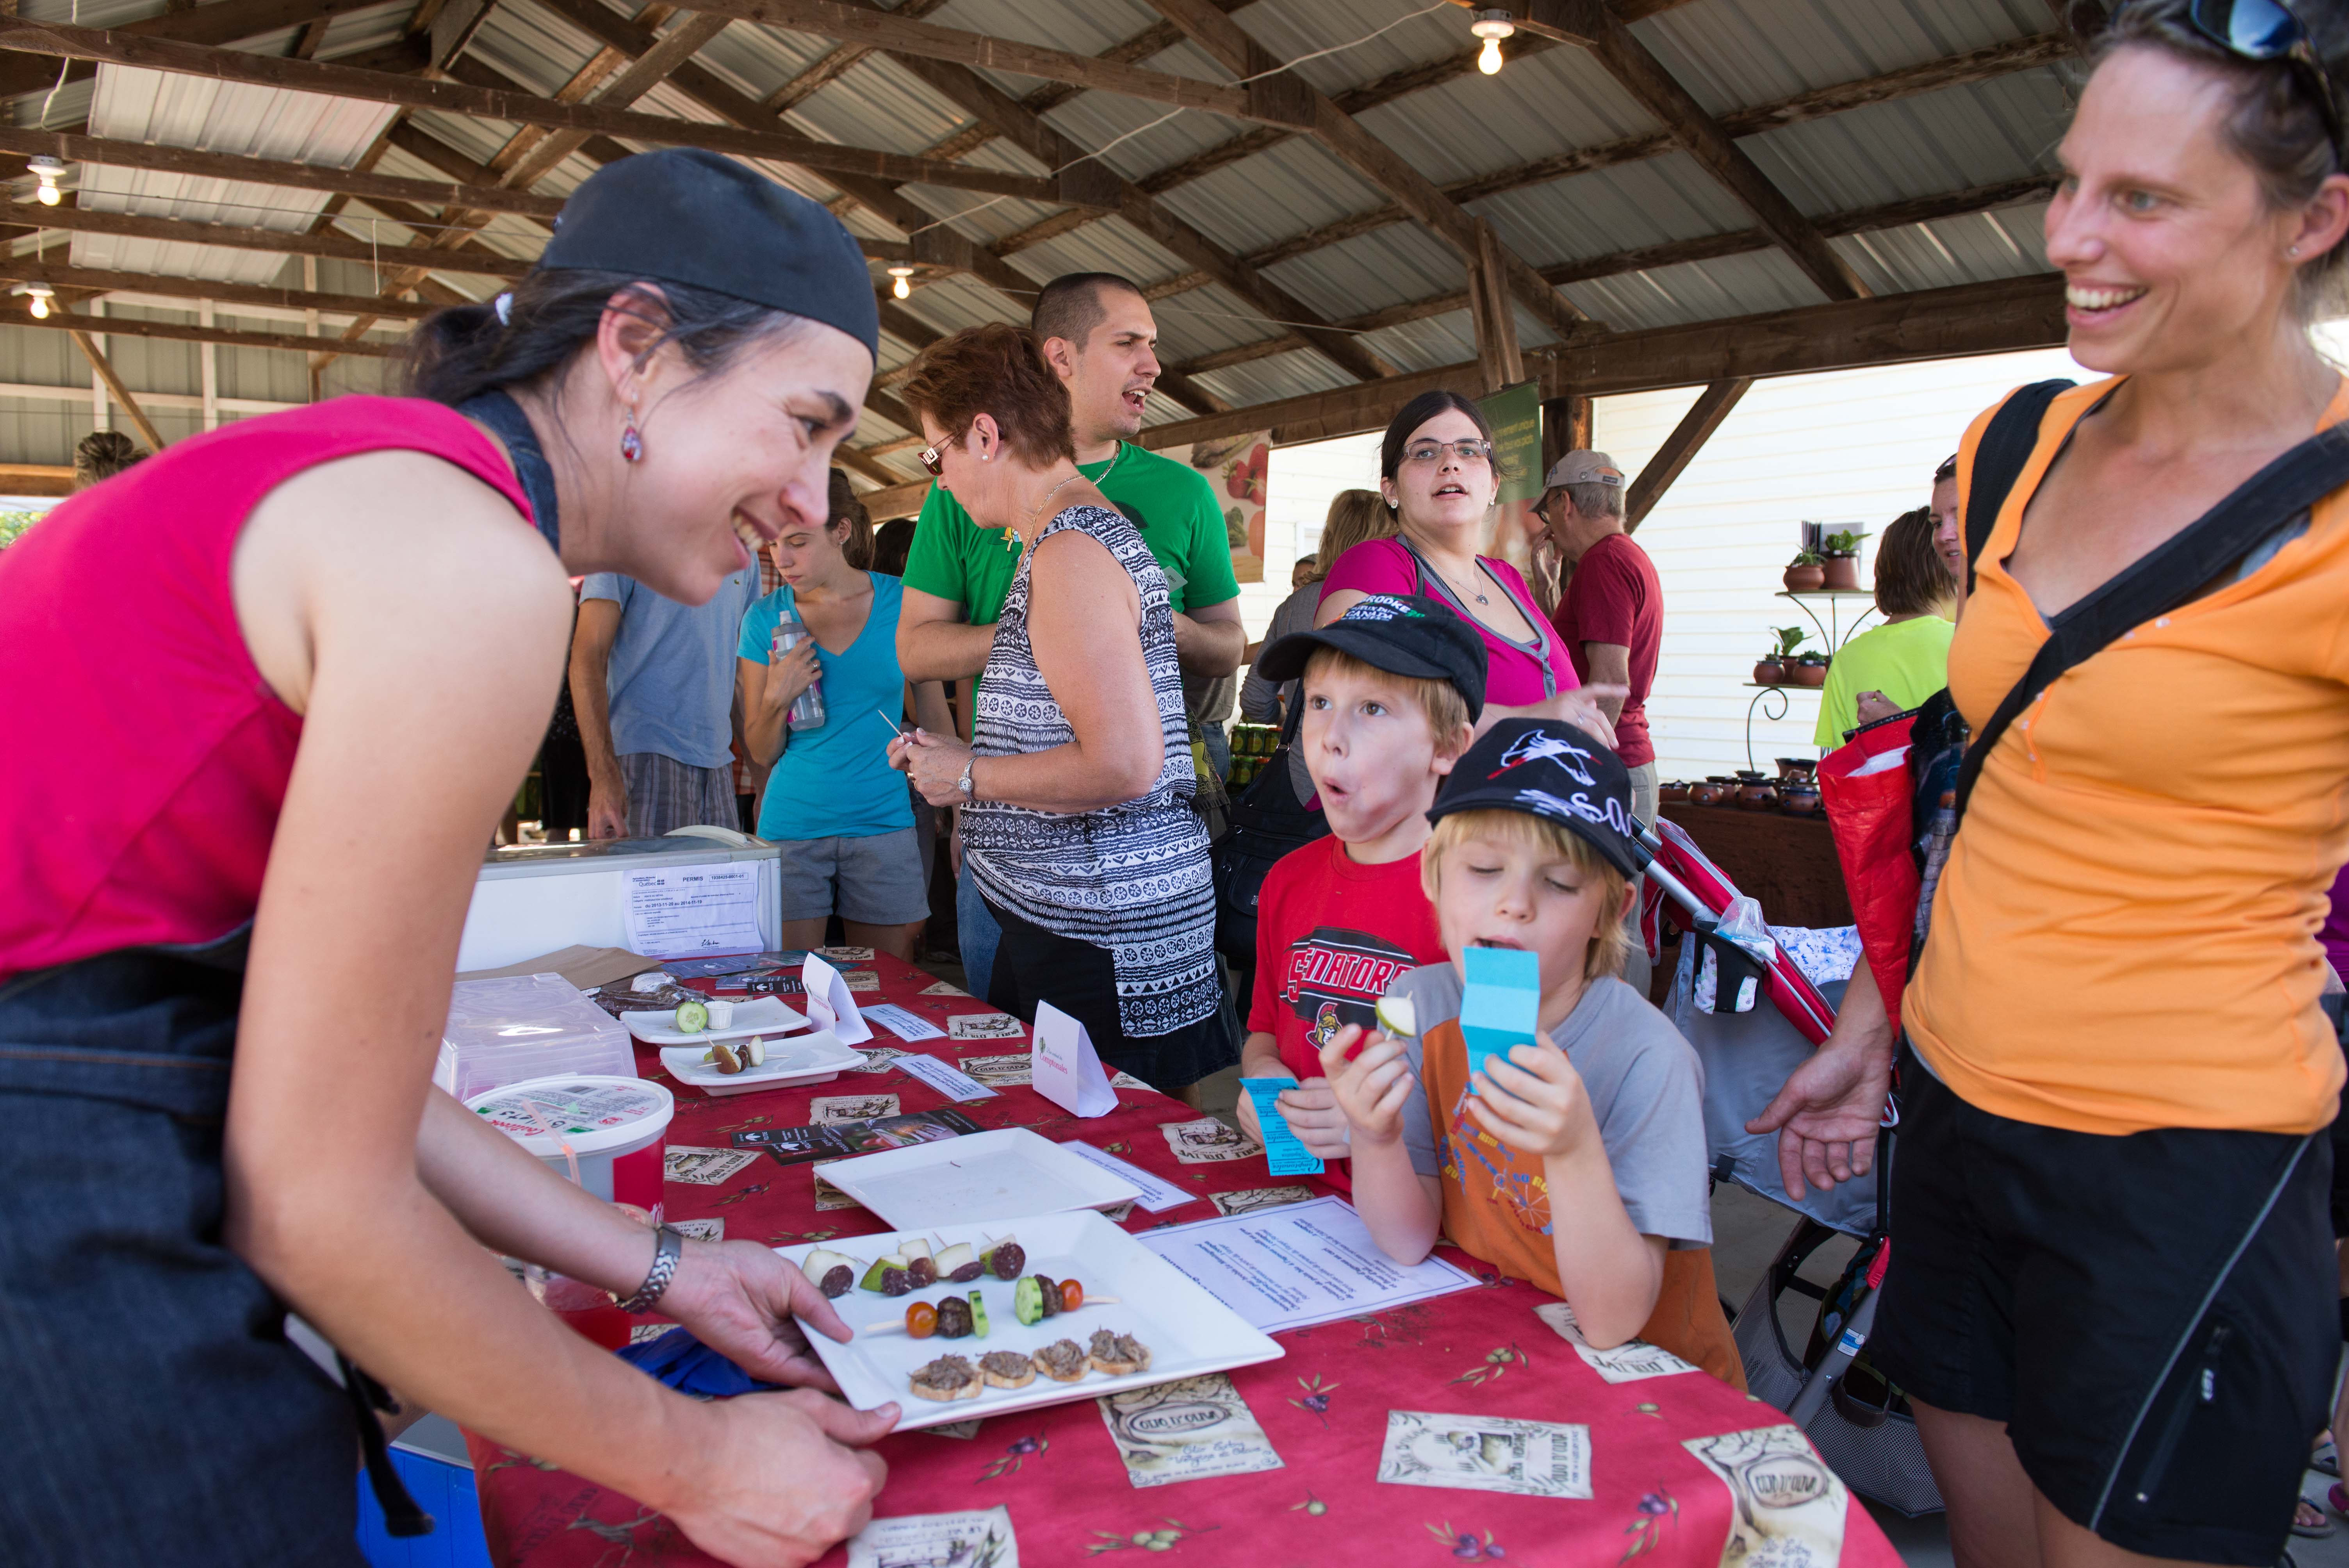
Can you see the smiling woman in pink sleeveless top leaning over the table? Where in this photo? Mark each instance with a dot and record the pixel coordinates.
(271, 694)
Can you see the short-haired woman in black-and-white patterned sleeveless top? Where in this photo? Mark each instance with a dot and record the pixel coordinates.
(1077, 788)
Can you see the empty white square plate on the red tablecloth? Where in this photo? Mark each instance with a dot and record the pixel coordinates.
(983, 1177)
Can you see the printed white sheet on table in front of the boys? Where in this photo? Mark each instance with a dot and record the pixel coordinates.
(1295, 1266)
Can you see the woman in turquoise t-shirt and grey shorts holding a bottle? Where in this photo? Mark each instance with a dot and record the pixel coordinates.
(833, 802)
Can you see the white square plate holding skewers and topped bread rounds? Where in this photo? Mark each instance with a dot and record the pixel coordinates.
(1187, 1330)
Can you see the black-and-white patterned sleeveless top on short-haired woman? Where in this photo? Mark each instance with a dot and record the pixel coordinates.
(1133, 877)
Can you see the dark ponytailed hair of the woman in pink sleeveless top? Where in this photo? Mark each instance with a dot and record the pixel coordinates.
(553, 313)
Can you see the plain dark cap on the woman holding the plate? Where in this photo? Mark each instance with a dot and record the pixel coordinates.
(699, 219)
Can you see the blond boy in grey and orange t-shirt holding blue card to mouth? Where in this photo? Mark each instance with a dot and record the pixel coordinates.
(1573, 1161)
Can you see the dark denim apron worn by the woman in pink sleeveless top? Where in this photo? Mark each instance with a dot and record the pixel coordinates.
(163, 1414)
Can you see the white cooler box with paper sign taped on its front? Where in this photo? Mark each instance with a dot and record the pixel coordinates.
(534, 900)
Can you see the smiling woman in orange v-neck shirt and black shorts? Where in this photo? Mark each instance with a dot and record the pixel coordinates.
(2113, 1285)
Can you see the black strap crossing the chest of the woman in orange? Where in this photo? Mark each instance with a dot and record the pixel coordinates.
(2172, 576)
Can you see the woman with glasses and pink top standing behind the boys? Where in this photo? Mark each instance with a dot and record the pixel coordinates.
(1436, 471)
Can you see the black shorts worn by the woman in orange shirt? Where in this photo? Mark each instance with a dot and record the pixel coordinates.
(2153, 1316)
